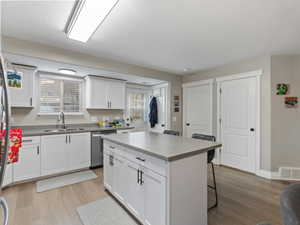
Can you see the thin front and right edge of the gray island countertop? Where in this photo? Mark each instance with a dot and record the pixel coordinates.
(171, 158)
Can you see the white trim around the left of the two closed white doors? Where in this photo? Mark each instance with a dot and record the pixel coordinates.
(195, 84)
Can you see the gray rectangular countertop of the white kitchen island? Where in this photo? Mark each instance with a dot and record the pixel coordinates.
(163, 146)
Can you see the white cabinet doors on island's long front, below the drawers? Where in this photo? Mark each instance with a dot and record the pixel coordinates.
(140, 189)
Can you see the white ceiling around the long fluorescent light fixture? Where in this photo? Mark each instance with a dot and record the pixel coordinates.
(168, 35)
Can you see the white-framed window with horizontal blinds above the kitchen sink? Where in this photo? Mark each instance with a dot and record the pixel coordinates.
(60, 94)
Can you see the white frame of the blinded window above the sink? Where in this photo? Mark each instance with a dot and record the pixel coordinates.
(62, 78)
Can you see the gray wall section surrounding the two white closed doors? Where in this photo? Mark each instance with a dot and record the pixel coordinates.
(263, 62)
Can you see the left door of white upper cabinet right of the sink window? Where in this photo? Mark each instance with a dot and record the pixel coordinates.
(96, 93)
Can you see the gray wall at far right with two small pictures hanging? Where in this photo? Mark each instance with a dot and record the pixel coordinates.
(285, 121)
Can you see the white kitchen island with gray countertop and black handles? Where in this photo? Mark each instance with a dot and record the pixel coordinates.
(161, 179)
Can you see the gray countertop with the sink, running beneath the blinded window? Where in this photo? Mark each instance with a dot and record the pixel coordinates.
(40, 130)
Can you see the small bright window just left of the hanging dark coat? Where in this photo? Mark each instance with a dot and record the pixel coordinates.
(137, 105)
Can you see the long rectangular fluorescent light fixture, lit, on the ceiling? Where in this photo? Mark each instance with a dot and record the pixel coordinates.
(87, 17)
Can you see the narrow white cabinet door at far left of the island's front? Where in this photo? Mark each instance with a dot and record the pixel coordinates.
(108, 171)
